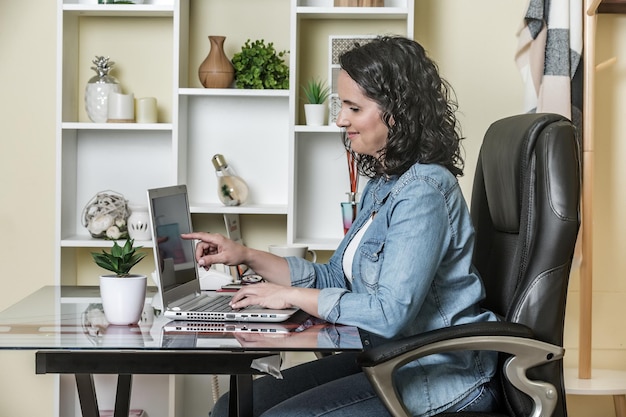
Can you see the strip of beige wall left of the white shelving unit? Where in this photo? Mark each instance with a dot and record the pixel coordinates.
(27, 114)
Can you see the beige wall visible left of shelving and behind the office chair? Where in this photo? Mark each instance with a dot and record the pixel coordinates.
(473, 42)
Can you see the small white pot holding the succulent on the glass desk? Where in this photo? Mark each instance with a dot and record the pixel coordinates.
(123, 299)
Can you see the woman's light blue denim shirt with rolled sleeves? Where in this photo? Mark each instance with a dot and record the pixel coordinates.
(412, 272)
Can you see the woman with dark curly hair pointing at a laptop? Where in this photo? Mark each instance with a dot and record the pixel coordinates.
(405, 265)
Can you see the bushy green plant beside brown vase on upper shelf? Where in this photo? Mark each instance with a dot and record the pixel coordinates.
(260, 66)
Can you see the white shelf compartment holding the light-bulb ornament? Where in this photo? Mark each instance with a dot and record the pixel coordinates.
(256, 124)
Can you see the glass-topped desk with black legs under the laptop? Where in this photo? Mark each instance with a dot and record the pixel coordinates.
(67, 329)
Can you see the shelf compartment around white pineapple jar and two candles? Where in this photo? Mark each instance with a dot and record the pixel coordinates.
(82, 41)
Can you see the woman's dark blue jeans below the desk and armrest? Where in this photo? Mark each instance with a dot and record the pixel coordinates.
(332, 386)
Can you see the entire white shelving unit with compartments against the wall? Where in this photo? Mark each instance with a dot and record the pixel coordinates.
(292, 170)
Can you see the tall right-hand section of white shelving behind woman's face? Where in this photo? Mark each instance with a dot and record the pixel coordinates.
(318, 172)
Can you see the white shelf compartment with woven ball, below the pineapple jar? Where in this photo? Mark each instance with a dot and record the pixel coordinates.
(111, 160)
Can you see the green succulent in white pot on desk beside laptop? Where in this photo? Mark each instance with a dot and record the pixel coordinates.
(123, 294)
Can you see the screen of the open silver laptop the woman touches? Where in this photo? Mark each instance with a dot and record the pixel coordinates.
(170, 217)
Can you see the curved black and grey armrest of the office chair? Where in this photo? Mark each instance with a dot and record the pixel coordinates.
(380, 363)
